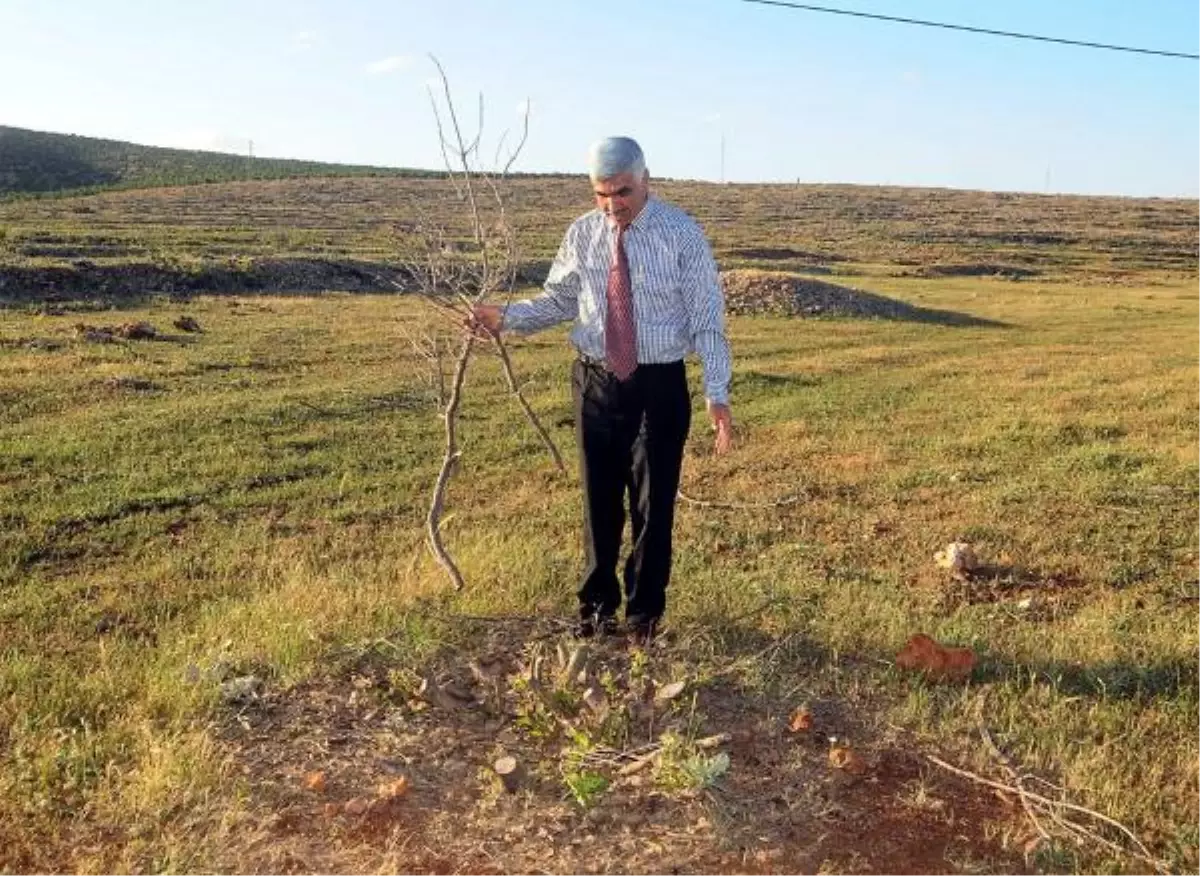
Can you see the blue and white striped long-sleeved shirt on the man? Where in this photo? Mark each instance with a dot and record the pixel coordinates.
(679, 303)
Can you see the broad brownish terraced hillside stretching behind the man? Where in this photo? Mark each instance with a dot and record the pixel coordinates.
(315, 235)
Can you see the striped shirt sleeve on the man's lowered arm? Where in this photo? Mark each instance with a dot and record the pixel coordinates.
(705, 302)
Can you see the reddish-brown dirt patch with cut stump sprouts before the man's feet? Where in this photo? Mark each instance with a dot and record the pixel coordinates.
(632, 763)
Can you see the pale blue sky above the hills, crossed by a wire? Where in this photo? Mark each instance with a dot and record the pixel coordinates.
(796, 95)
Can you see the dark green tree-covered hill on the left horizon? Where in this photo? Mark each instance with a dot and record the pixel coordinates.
(40, 163)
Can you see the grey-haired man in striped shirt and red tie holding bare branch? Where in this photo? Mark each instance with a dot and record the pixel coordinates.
(638, 278)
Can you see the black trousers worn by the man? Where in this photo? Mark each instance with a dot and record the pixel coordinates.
(631, 437)
